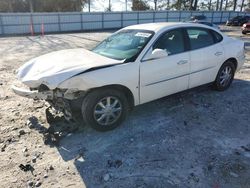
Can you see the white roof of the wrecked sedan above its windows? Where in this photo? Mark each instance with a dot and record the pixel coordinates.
(164, 25)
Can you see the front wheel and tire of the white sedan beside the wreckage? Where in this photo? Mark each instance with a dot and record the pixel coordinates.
(104, 109)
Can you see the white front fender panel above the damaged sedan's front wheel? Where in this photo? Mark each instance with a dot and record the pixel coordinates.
(125, 75)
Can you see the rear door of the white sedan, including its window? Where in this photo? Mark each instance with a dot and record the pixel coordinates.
(206, 55)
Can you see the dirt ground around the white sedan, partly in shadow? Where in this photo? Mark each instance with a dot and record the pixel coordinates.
(198, 138)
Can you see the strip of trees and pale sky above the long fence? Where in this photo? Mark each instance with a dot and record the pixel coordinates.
(78, 5)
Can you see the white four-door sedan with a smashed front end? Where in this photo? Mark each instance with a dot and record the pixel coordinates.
(135, 65)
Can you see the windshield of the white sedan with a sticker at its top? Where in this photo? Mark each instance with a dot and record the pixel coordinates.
(125, 44)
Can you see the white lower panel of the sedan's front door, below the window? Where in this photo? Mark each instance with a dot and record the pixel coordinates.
(164, 76)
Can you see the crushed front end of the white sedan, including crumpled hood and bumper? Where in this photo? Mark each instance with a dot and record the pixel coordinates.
(39, 78)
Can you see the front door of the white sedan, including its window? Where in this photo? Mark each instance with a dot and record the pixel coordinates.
(163, 76)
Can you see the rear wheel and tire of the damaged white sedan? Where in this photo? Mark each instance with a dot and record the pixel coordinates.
(225, 73)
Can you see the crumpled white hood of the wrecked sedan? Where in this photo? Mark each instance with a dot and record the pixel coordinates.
(53, 68)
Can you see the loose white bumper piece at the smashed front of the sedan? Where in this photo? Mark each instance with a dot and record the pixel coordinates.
(46, 95)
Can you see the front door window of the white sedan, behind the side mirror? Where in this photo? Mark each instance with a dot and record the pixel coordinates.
(171, 41)
